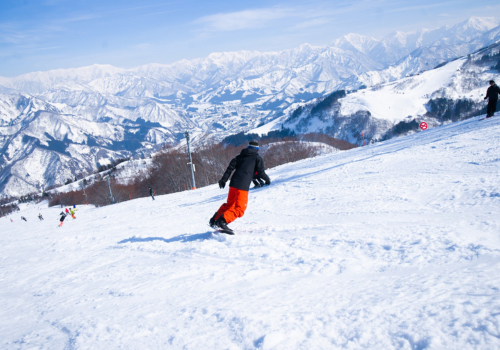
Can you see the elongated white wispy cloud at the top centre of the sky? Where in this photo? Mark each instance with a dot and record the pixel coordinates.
(246, 19)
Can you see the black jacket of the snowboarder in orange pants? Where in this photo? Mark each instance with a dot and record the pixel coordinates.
(246, 164)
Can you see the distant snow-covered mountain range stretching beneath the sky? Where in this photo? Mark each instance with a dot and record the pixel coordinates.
(59, 123)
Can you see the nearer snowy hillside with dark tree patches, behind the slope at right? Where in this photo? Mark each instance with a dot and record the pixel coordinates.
(441, 95)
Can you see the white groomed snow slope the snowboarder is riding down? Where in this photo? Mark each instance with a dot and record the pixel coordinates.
(390, 246)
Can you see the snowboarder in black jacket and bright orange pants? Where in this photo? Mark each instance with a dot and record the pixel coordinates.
(244, 165)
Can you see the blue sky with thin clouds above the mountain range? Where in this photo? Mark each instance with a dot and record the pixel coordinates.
(49, 34)
